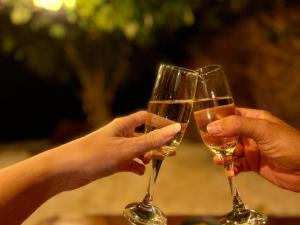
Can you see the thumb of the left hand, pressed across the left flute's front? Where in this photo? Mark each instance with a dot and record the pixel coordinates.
(155, 138)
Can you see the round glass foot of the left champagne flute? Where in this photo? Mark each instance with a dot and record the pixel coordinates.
(138, 214)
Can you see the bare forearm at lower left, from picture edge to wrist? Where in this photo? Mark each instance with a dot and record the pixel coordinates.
(25, 186)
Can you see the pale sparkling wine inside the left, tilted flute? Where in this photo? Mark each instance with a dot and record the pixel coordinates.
(165, 112)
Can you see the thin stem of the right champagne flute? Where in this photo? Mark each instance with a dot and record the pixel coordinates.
(238, 205)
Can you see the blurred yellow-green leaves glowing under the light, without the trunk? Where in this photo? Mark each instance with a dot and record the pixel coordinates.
(37, 35)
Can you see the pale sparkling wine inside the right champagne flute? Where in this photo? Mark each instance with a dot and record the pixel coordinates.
(211, 109)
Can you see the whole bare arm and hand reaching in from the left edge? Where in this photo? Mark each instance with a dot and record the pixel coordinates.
(111, 149)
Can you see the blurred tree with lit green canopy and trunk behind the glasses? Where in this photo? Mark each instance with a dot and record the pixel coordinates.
(94, 41)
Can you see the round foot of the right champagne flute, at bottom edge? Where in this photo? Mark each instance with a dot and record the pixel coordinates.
(247, 217)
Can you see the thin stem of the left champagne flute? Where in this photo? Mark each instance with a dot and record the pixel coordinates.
(146, 204)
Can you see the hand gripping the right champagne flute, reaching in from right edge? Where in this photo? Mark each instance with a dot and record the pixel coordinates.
(267, 146)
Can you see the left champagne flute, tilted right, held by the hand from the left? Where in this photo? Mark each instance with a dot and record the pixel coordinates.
(171, 102)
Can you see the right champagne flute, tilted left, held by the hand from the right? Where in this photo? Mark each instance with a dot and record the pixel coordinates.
(213, 101)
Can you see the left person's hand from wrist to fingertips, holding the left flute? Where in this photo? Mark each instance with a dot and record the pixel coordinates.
(111, 149)
